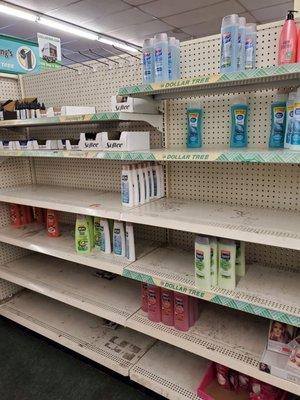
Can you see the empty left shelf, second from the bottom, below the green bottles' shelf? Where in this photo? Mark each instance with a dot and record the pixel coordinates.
(116, 299)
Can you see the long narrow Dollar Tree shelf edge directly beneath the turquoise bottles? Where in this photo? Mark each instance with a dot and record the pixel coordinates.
(205, 154)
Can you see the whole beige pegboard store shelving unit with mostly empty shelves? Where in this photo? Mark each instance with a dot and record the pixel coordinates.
(249, 195)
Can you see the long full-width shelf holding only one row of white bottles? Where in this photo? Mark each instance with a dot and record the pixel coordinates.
(258, 225)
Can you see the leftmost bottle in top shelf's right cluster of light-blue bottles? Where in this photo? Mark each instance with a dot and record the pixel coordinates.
(229, 43)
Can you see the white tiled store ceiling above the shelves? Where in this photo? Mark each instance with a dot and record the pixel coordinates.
(134, 20)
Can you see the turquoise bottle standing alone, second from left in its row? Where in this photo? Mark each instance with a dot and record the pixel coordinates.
(239, 122)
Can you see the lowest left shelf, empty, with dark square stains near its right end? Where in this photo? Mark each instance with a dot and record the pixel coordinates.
(82, 332)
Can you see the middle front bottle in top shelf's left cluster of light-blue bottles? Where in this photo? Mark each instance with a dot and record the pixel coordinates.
(161, 57)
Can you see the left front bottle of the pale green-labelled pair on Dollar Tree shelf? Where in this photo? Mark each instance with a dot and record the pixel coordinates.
(202, 262)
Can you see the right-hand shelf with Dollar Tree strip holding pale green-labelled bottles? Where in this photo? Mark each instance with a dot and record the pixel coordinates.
(256, 293)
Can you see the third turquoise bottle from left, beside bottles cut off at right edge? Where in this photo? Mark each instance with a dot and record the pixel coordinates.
(278, 120)
